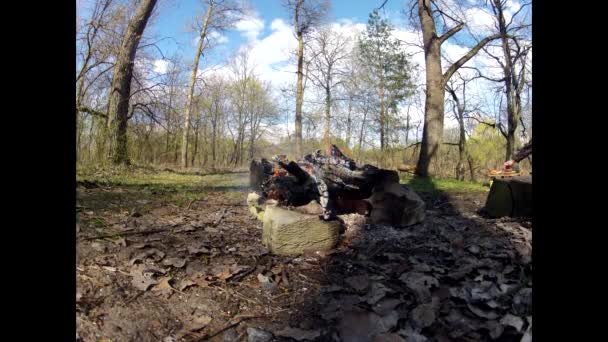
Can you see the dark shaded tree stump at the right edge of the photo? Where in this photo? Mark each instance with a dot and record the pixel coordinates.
(510, 197)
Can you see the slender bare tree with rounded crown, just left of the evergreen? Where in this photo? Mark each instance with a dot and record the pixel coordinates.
(327, 69)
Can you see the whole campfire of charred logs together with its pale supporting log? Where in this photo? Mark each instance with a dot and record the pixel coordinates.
(299, 201)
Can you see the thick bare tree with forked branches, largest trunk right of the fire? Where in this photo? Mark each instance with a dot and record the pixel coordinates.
(430, 11)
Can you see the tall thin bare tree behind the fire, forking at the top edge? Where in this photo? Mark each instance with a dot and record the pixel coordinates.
(306, 14)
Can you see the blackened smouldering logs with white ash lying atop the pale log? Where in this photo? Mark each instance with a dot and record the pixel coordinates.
(334, 181)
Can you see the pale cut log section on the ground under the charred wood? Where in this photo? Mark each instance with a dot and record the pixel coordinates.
(288, 232)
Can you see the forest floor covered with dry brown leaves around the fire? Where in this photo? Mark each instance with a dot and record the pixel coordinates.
(166, 257)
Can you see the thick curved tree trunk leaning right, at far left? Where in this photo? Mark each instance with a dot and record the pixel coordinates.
(118, 103)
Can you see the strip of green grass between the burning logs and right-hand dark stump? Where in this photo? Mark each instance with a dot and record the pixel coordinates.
(437, 185)
